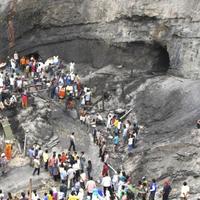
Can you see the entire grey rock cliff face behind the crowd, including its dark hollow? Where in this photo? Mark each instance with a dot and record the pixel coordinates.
(103, 32)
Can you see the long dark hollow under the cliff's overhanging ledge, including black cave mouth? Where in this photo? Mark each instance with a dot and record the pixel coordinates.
(135, 55)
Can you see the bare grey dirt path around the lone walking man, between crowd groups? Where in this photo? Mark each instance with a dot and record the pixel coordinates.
(84, 141)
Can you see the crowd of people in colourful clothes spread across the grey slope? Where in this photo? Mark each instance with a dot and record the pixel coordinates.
(71, 168)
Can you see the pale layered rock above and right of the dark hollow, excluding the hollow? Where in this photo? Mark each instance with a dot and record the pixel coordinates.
(172, 24)
